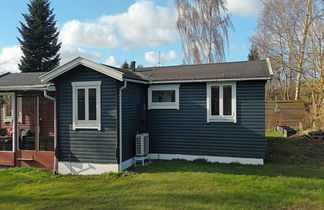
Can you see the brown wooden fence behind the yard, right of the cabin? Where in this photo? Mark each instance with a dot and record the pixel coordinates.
(294, 114)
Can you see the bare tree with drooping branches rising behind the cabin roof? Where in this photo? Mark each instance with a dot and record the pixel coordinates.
(203, 26)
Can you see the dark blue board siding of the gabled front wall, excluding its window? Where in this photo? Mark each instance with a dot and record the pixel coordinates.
(84, 145)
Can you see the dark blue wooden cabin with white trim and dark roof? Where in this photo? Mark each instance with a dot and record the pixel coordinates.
(210, 111)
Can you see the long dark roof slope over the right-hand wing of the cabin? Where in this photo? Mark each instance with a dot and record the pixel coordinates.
(244, 70)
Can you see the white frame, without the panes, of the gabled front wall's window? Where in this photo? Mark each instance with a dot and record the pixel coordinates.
(86, 124)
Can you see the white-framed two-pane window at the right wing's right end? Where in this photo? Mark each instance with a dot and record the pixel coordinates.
(221, 102)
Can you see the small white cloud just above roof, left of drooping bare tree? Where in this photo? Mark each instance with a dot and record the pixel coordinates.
(154, 58)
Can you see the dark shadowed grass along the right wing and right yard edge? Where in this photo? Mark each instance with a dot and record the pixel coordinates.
(291, 157)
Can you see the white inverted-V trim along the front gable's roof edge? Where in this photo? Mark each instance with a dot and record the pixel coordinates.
(85, 62)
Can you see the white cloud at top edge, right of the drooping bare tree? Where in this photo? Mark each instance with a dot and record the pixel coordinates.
(244, 8)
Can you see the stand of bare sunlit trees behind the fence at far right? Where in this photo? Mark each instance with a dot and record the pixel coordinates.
(291, 33)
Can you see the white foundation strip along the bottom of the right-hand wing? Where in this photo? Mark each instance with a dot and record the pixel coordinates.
(213, 159)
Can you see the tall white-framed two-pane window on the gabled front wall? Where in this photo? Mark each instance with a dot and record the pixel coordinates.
(86, 105)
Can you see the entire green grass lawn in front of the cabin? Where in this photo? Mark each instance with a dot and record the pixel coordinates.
(292, 178)
